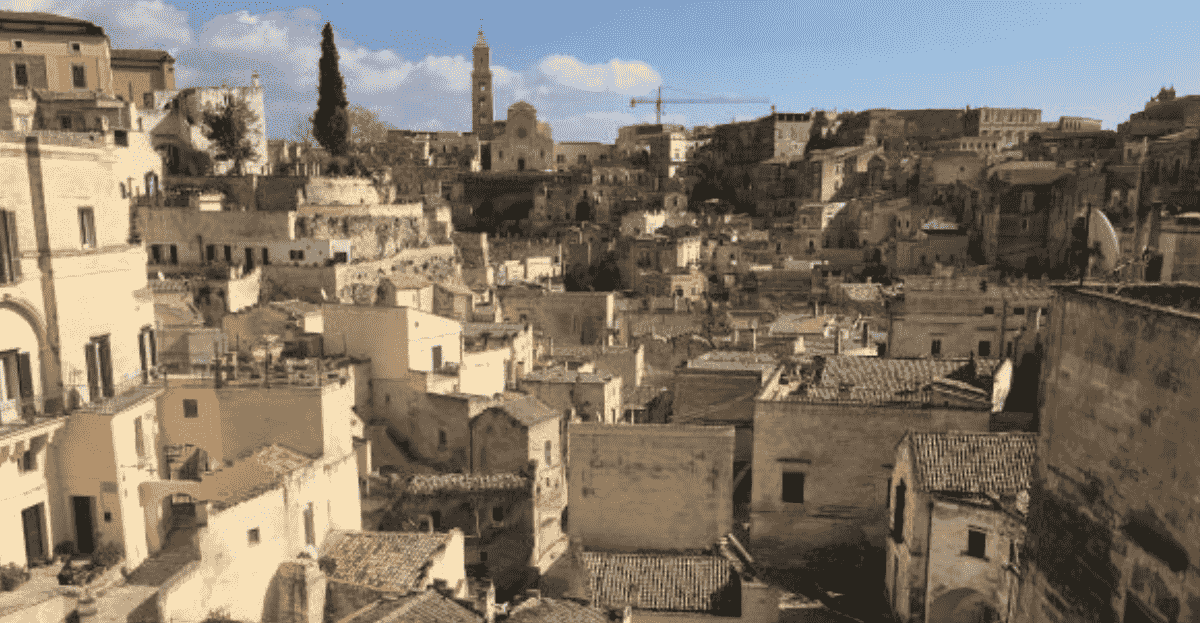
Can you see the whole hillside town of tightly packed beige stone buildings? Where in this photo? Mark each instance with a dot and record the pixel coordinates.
(922, 366)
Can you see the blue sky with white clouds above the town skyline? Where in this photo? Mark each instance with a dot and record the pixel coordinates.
(579, 64)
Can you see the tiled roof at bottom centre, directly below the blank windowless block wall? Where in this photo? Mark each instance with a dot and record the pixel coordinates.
(681, 584)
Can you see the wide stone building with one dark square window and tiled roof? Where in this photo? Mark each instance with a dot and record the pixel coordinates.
(820, 478)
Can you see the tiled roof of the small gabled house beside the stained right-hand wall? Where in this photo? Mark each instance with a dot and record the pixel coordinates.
(974, 463)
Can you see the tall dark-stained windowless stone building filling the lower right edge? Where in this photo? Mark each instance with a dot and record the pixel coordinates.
(1113, 535)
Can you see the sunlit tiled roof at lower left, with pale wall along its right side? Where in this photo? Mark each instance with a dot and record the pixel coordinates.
(388, 561)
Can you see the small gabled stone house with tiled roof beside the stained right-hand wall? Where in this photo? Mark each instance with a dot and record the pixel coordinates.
(958, 504)
